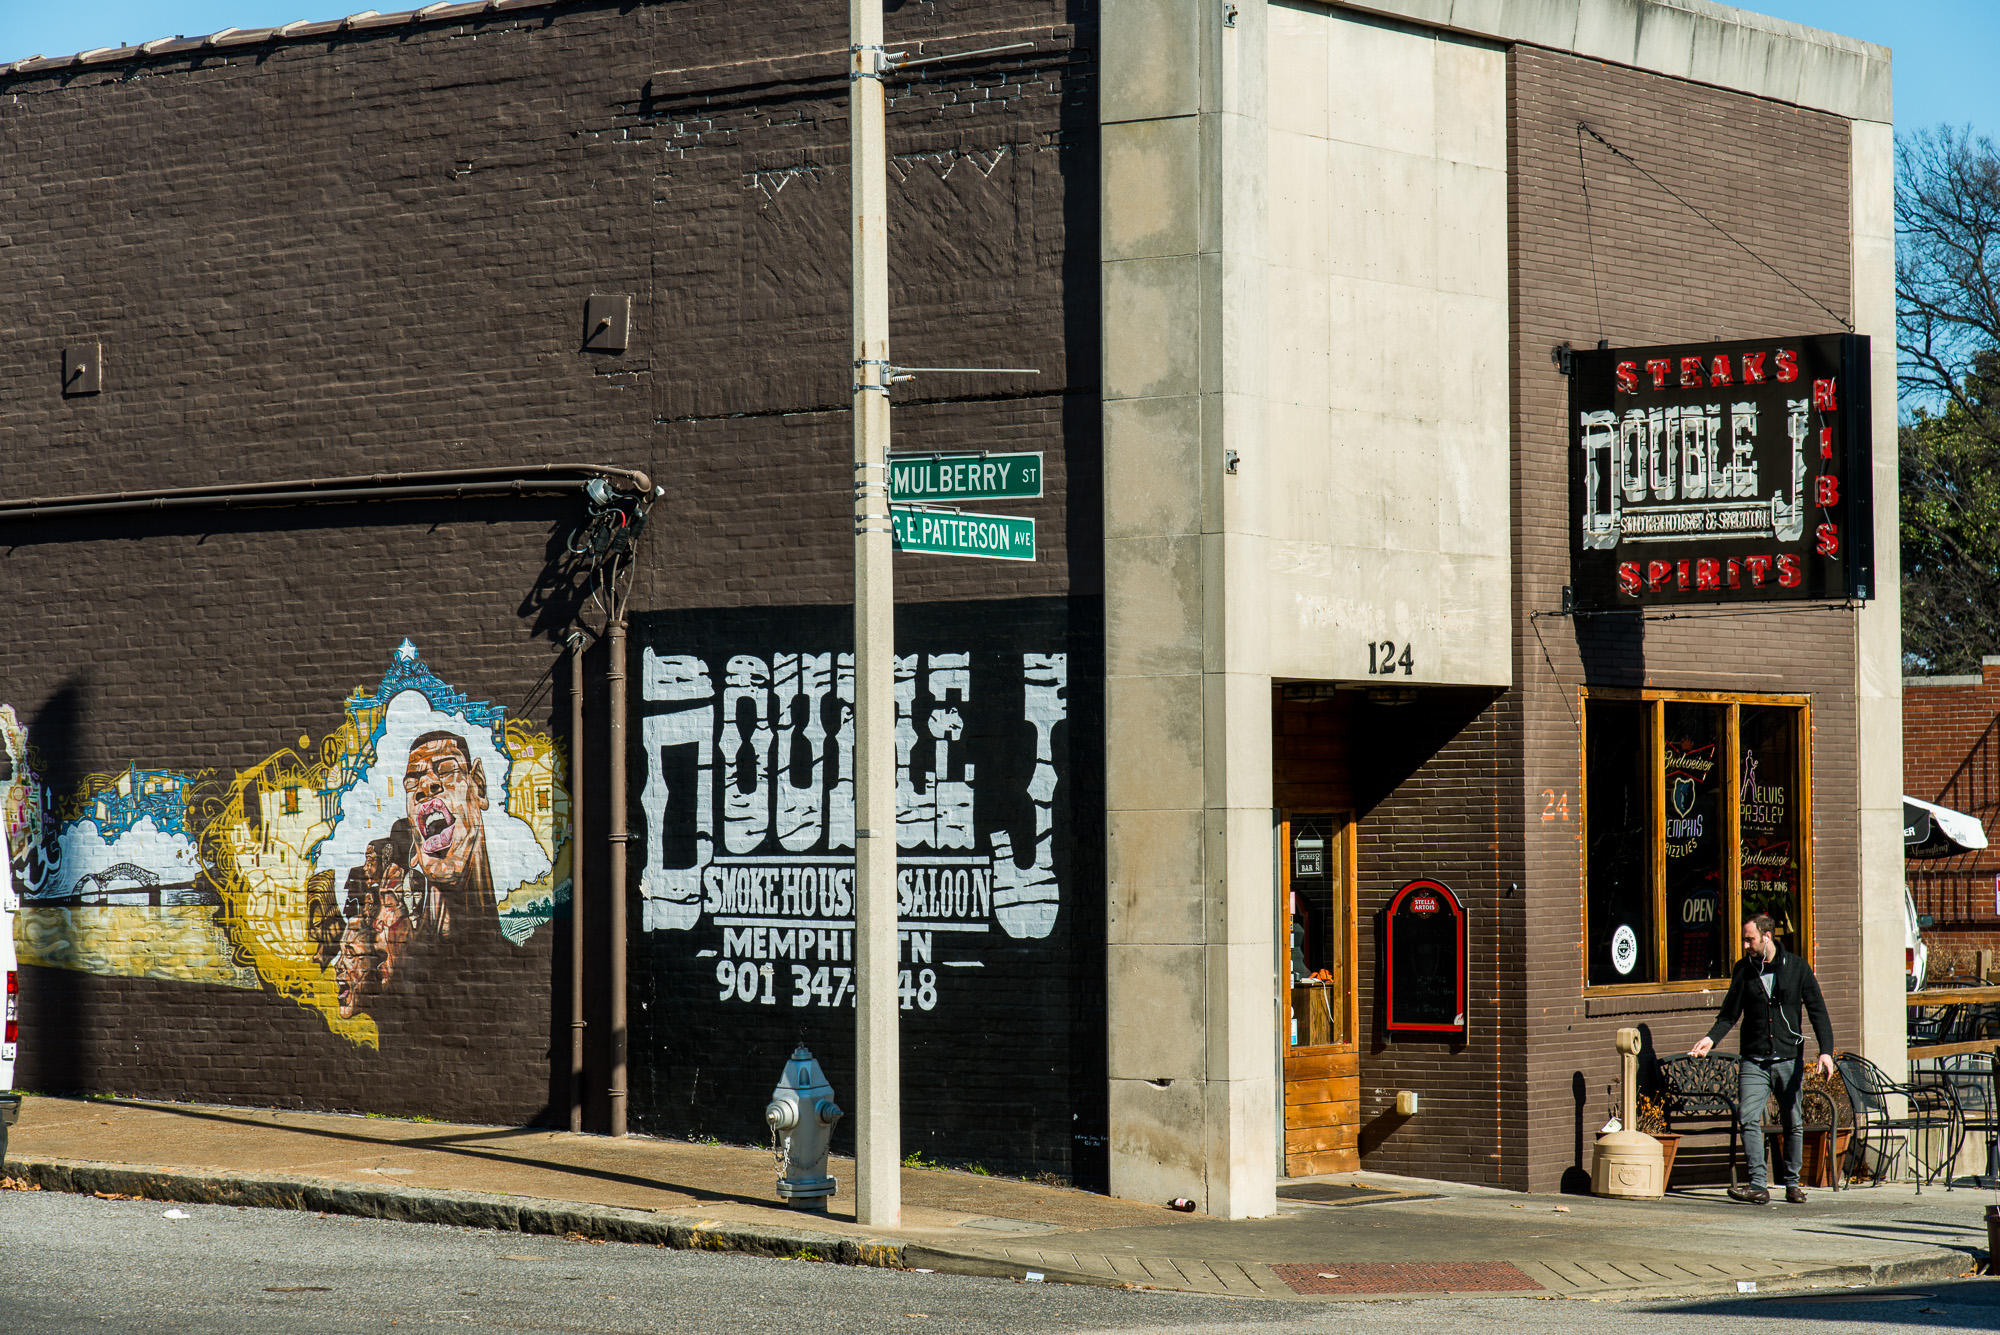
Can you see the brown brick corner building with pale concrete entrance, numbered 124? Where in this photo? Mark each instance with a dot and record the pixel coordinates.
(1295, 670)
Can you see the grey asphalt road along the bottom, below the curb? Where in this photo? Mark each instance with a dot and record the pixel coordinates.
(83, 1266)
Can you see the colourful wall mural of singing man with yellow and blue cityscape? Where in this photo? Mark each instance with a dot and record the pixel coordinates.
(347, 874)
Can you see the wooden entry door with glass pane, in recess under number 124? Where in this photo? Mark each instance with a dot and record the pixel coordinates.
(1321, 1014)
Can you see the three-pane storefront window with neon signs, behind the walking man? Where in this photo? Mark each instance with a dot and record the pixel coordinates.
(1695, 820)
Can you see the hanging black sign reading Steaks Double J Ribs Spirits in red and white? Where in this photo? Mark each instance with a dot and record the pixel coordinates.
(1721, 473)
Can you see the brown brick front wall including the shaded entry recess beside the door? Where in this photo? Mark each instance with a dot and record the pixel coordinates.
(1485, 794)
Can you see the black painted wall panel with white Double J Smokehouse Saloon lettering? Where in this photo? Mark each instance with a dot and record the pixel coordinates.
(743, 850)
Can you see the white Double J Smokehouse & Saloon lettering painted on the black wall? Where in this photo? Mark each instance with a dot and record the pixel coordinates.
(775, 840)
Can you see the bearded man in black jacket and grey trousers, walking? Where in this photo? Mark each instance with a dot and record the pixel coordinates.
(1767, 992)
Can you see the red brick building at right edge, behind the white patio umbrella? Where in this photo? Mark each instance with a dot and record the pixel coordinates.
(1949, 758)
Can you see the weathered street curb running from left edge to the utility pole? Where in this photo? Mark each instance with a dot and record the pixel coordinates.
(469, 1210)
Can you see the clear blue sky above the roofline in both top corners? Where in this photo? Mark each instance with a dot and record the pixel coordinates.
(1945, 49)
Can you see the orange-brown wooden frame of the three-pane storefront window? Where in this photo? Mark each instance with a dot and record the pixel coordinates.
(1655, 728)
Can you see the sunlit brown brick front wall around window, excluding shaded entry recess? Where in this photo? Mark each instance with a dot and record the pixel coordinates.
(1775, 179)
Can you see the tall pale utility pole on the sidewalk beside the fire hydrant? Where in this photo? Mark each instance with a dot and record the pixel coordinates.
(877, 1024)
